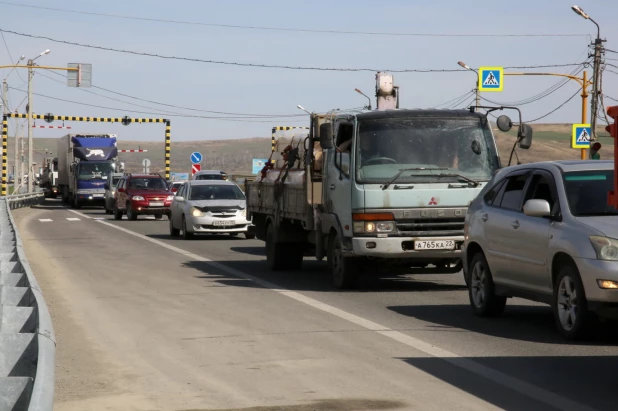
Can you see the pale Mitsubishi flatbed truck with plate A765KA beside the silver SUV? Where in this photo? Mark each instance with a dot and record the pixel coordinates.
(376, 191)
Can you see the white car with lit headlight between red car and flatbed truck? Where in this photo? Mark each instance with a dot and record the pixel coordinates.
(210, 207)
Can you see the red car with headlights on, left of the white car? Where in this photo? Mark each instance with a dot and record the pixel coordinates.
(142, 194)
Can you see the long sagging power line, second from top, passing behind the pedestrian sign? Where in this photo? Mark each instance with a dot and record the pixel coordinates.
(253, 65)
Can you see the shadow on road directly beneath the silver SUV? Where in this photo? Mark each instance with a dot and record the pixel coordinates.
(519, 322)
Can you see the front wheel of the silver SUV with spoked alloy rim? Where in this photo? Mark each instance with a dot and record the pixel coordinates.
(570, 306)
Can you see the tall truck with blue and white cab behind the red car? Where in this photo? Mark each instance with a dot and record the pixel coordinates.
(84, 162)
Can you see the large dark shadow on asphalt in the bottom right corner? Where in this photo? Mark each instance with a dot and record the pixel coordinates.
(586, 380)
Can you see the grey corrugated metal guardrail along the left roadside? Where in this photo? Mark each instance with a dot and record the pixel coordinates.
(27, 340)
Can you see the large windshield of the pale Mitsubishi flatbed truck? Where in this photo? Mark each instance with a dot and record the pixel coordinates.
(451, 146)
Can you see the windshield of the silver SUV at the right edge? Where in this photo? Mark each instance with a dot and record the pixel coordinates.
(587, 192)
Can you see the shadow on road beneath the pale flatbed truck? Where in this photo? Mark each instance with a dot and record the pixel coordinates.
(315, 277)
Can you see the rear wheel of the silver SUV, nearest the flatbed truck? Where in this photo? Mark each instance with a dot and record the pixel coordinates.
(481, 290)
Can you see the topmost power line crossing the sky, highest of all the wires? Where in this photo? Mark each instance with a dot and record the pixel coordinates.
(234, 26)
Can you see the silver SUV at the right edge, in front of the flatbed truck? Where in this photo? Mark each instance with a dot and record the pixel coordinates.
(545, 232)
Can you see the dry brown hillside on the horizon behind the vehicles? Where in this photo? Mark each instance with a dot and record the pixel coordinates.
(550, 142)
